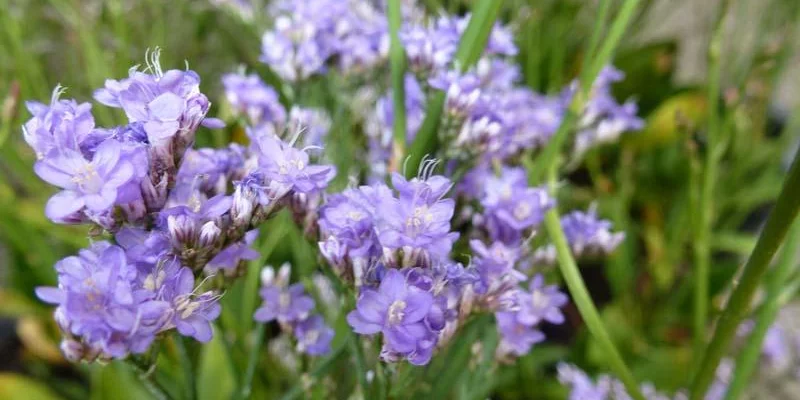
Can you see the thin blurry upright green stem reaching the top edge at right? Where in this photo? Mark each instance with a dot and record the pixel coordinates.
(702, 252)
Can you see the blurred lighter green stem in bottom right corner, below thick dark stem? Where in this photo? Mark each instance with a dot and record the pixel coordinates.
(748, 358)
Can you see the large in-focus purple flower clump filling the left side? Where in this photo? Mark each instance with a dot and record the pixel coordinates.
(180, 221)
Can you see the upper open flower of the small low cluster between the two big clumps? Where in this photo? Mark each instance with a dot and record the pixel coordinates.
(284, 304)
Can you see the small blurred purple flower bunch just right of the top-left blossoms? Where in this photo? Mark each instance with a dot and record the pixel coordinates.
(251, 97)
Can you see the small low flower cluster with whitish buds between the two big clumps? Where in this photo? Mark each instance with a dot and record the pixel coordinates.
(291, 308)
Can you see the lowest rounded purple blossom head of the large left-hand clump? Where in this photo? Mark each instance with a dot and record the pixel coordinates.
(109, 307)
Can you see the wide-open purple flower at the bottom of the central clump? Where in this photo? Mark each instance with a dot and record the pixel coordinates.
(394, 309)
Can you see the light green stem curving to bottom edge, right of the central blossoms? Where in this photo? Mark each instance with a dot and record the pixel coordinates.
(583, 301)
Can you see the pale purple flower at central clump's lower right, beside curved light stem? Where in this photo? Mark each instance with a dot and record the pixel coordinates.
(542, 303)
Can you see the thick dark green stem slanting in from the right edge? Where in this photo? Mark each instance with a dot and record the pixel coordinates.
(778, 223)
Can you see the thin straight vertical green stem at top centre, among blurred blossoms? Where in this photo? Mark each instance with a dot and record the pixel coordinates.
(397, 60)
